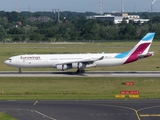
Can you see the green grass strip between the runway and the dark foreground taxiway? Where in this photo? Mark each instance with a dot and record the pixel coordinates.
(75, 88)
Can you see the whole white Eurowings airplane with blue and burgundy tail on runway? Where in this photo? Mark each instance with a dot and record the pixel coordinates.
(80, 61)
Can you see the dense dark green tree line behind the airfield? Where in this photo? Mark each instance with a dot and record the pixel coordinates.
(72, 26)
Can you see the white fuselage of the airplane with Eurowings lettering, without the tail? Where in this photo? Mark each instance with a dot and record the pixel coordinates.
(51, 60)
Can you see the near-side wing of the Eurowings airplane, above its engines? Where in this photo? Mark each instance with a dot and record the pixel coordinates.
(89, 61)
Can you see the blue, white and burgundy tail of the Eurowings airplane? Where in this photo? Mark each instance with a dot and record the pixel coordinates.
(140, 50)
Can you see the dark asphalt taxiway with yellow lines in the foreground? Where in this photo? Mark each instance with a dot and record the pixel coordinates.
(83, 110)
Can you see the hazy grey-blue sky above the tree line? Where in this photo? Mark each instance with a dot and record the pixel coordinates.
(80, 5)
